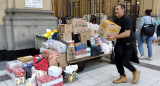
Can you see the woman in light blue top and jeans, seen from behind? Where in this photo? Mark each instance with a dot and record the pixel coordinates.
(147, 19)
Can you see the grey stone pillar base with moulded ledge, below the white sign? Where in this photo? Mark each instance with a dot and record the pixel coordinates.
(23, 24)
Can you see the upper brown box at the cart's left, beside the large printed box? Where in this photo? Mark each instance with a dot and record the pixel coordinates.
(65, 28)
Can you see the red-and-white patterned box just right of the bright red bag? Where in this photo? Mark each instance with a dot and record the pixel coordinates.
(52, 55)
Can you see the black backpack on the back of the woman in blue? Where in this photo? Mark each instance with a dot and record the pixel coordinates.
(148, 29)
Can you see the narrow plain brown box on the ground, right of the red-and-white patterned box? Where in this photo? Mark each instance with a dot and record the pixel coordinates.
(63, 60)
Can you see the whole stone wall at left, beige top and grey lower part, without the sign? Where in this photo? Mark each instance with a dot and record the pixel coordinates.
(9, 30)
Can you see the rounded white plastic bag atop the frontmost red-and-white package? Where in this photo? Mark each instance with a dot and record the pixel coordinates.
(54, 71)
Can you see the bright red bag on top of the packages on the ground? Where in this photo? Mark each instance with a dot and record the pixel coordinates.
(40, 63)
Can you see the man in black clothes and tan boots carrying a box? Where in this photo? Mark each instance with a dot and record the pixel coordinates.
(125, 48)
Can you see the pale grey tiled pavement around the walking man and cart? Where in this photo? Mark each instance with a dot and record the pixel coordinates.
(101, 73)
